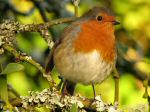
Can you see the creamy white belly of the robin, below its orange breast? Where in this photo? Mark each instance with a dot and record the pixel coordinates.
(84, 68)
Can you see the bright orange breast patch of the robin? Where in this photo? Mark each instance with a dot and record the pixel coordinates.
(96, 36)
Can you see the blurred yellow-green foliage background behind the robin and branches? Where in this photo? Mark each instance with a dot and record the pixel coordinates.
(133, 42)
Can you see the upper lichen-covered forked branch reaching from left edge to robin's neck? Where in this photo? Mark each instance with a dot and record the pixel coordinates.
(9, 29)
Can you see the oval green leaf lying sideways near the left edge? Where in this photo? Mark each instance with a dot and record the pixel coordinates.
(13, 67)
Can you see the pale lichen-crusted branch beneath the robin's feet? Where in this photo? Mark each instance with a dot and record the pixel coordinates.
(52, 99)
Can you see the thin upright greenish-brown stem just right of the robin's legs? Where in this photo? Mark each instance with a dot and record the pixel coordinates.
(116, 78)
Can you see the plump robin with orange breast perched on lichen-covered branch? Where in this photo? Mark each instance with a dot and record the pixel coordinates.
(86, 50)
